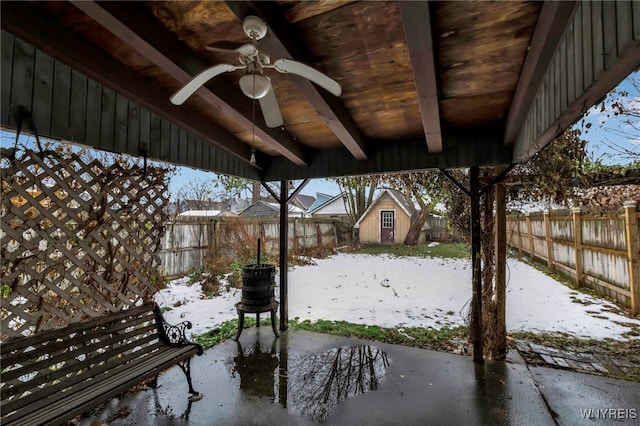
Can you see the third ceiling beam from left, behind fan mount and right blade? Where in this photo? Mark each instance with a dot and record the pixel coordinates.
(280, 42)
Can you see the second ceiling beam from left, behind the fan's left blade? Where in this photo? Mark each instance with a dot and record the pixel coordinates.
(135, 26)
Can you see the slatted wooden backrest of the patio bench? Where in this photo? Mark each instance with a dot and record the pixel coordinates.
(43, 364)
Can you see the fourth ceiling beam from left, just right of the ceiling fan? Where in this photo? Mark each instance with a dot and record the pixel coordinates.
(417, 29)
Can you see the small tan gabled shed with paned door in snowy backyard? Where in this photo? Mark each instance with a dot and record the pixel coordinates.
(387, 219)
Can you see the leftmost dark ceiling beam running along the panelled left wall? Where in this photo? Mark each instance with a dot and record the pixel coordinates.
(30, 24)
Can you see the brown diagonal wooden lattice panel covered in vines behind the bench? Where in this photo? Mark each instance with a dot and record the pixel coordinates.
(78, 238)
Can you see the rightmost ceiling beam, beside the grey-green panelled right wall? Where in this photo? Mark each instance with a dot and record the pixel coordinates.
(552, 24)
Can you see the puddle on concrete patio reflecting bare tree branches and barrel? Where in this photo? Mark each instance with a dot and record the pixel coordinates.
(309, 384)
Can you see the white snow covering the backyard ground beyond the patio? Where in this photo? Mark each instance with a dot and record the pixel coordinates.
(404, 291)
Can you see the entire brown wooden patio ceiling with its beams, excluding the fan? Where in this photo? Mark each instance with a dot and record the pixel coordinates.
(416, 75)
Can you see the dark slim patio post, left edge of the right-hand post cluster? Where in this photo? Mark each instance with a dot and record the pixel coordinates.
(476, 301)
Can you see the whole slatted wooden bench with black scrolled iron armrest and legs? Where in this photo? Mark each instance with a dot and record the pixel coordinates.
(53, 376)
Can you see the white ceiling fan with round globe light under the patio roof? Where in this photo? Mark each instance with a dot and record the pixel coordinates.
(254, 83)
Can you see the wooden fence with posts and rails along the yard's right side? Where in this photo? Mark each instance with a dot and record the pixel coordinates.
(597, 251)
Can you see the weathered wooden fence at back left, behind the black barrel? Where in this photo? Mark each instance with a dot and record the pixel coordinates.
(187, 241)
